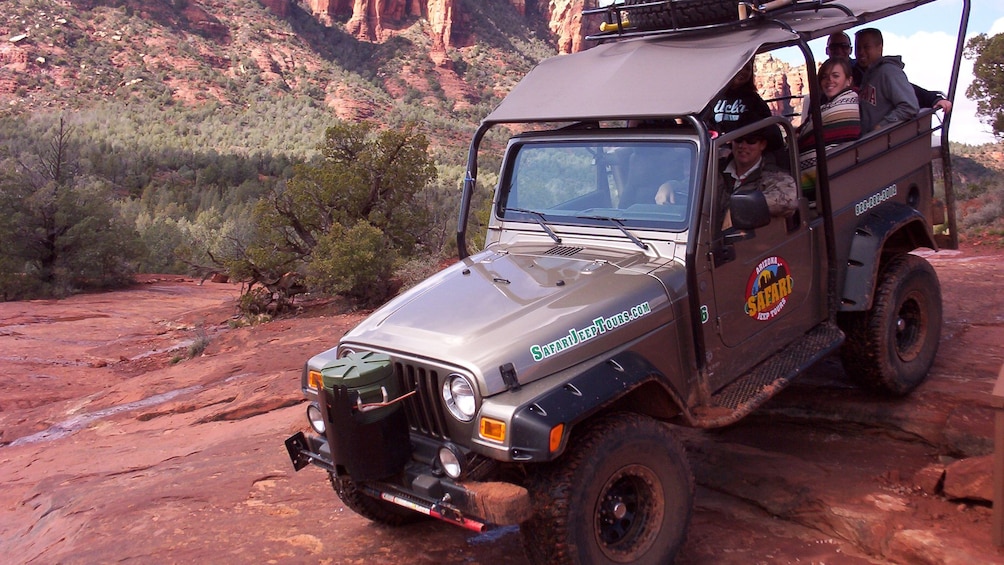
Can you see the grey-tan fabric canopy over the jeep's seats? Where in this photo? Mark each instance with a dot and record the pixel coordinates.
(668, 76)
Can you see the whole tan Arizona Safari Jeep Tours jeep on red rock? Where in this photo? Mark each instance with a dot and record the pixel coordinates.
(539, 382)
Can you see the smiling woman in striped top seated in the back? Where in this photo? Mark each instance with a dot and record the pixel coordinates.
(841, 117)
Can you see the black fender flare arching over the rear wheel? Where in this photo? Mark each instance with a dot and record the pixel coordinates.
(887, 230)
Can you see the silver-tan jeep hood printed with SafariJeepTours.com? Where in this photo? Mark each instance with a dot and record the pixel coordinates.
(539, 311)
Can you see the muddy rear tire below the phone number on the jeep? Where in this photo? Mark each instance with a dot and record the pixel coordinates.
(891, 348)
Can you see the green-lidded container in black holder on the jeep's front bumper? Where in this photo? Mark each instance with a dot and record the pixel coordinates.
(368, 442)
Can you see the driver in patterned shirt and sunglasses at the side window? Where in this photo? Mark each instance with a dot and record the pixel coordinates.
(750, 169)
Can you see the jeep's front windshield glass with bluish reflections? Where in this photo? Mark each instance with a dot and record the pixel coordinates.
(640, 184)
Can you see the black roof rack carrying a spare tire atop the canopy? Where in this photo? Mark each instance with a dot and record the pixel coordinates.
(643, 19)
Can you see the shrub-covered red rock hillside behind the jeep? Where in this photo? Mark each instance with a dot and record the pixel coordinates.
(175, 136)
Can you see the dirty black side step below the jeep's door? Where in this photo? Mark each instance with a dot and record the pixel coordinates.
(749, 392)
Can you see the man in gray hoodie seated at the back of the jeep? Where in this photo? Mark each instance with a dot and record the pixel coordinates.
(886, 96)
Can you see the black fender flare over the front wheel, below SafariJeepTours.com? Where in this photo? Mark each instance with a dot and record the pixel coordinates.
(577, 400)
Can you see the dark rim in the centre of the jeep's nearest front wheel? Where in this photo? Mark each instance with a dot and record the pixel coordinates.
(629, 513)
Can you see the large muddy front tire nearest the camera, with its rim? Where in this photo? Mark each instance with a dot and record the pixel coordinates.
(623, 493)
